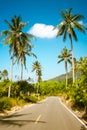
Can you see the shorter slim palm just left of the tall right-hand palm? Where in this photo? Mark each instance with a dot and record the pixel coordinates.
(66, 57)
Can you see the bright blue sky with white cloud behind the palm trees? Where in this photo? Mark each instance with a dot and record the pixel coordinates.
(42, 15)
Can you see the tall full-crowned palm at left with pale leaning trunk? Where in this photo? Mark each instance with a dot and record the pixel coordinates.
(15, 38)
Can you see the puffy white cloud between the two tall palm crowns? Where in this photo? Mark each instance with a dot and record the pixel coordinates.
(43, 31)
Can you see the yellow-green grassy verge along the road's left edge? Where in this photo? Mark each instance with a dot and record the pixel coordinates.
(9, 105)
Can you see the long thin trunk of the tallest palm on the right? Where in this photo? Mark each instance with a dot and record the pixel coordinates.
(73, 66)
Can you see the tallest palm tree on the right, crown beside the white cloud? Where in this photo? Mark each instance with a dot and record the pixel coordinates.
(68, 25)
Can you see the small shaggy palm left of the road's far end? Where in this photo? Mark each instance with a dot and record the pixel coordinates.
(37, 67)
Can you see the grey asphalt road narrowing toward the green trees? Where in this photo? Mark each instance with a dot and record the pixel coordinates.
(49, 114)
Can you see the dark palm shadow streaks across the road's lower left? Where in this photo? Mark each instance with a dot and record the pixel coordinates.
(12, 121)
